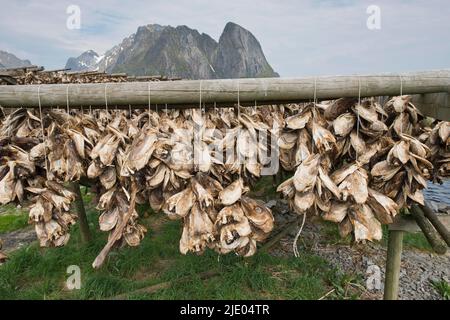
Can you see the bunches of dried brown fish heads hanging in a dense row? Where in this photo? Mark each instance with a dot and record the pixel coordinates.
(355, 163)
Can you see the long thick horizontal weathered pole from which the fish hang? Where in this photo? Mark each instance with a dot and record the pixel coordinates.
(226, 91)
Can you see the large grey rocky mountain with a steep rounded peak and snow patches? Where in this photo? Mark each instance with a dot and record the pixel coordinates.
(181, 52)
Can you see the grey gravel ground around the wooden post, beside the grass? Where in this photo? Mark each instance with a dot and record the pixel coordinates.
(418, 268)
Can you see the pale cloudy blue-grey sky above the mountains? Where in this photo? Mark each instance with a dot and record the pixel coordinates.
(299, 38)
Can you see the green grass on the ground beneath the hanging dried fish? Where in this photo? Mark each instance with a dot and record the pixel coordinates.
(40, 273)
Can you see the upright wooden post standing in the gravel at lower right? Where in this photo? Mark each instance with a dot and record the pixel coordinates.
(393, 260)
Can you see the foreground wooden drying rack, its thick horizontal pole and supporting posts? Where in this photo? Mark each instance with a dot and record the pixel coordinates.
(430, 91)
